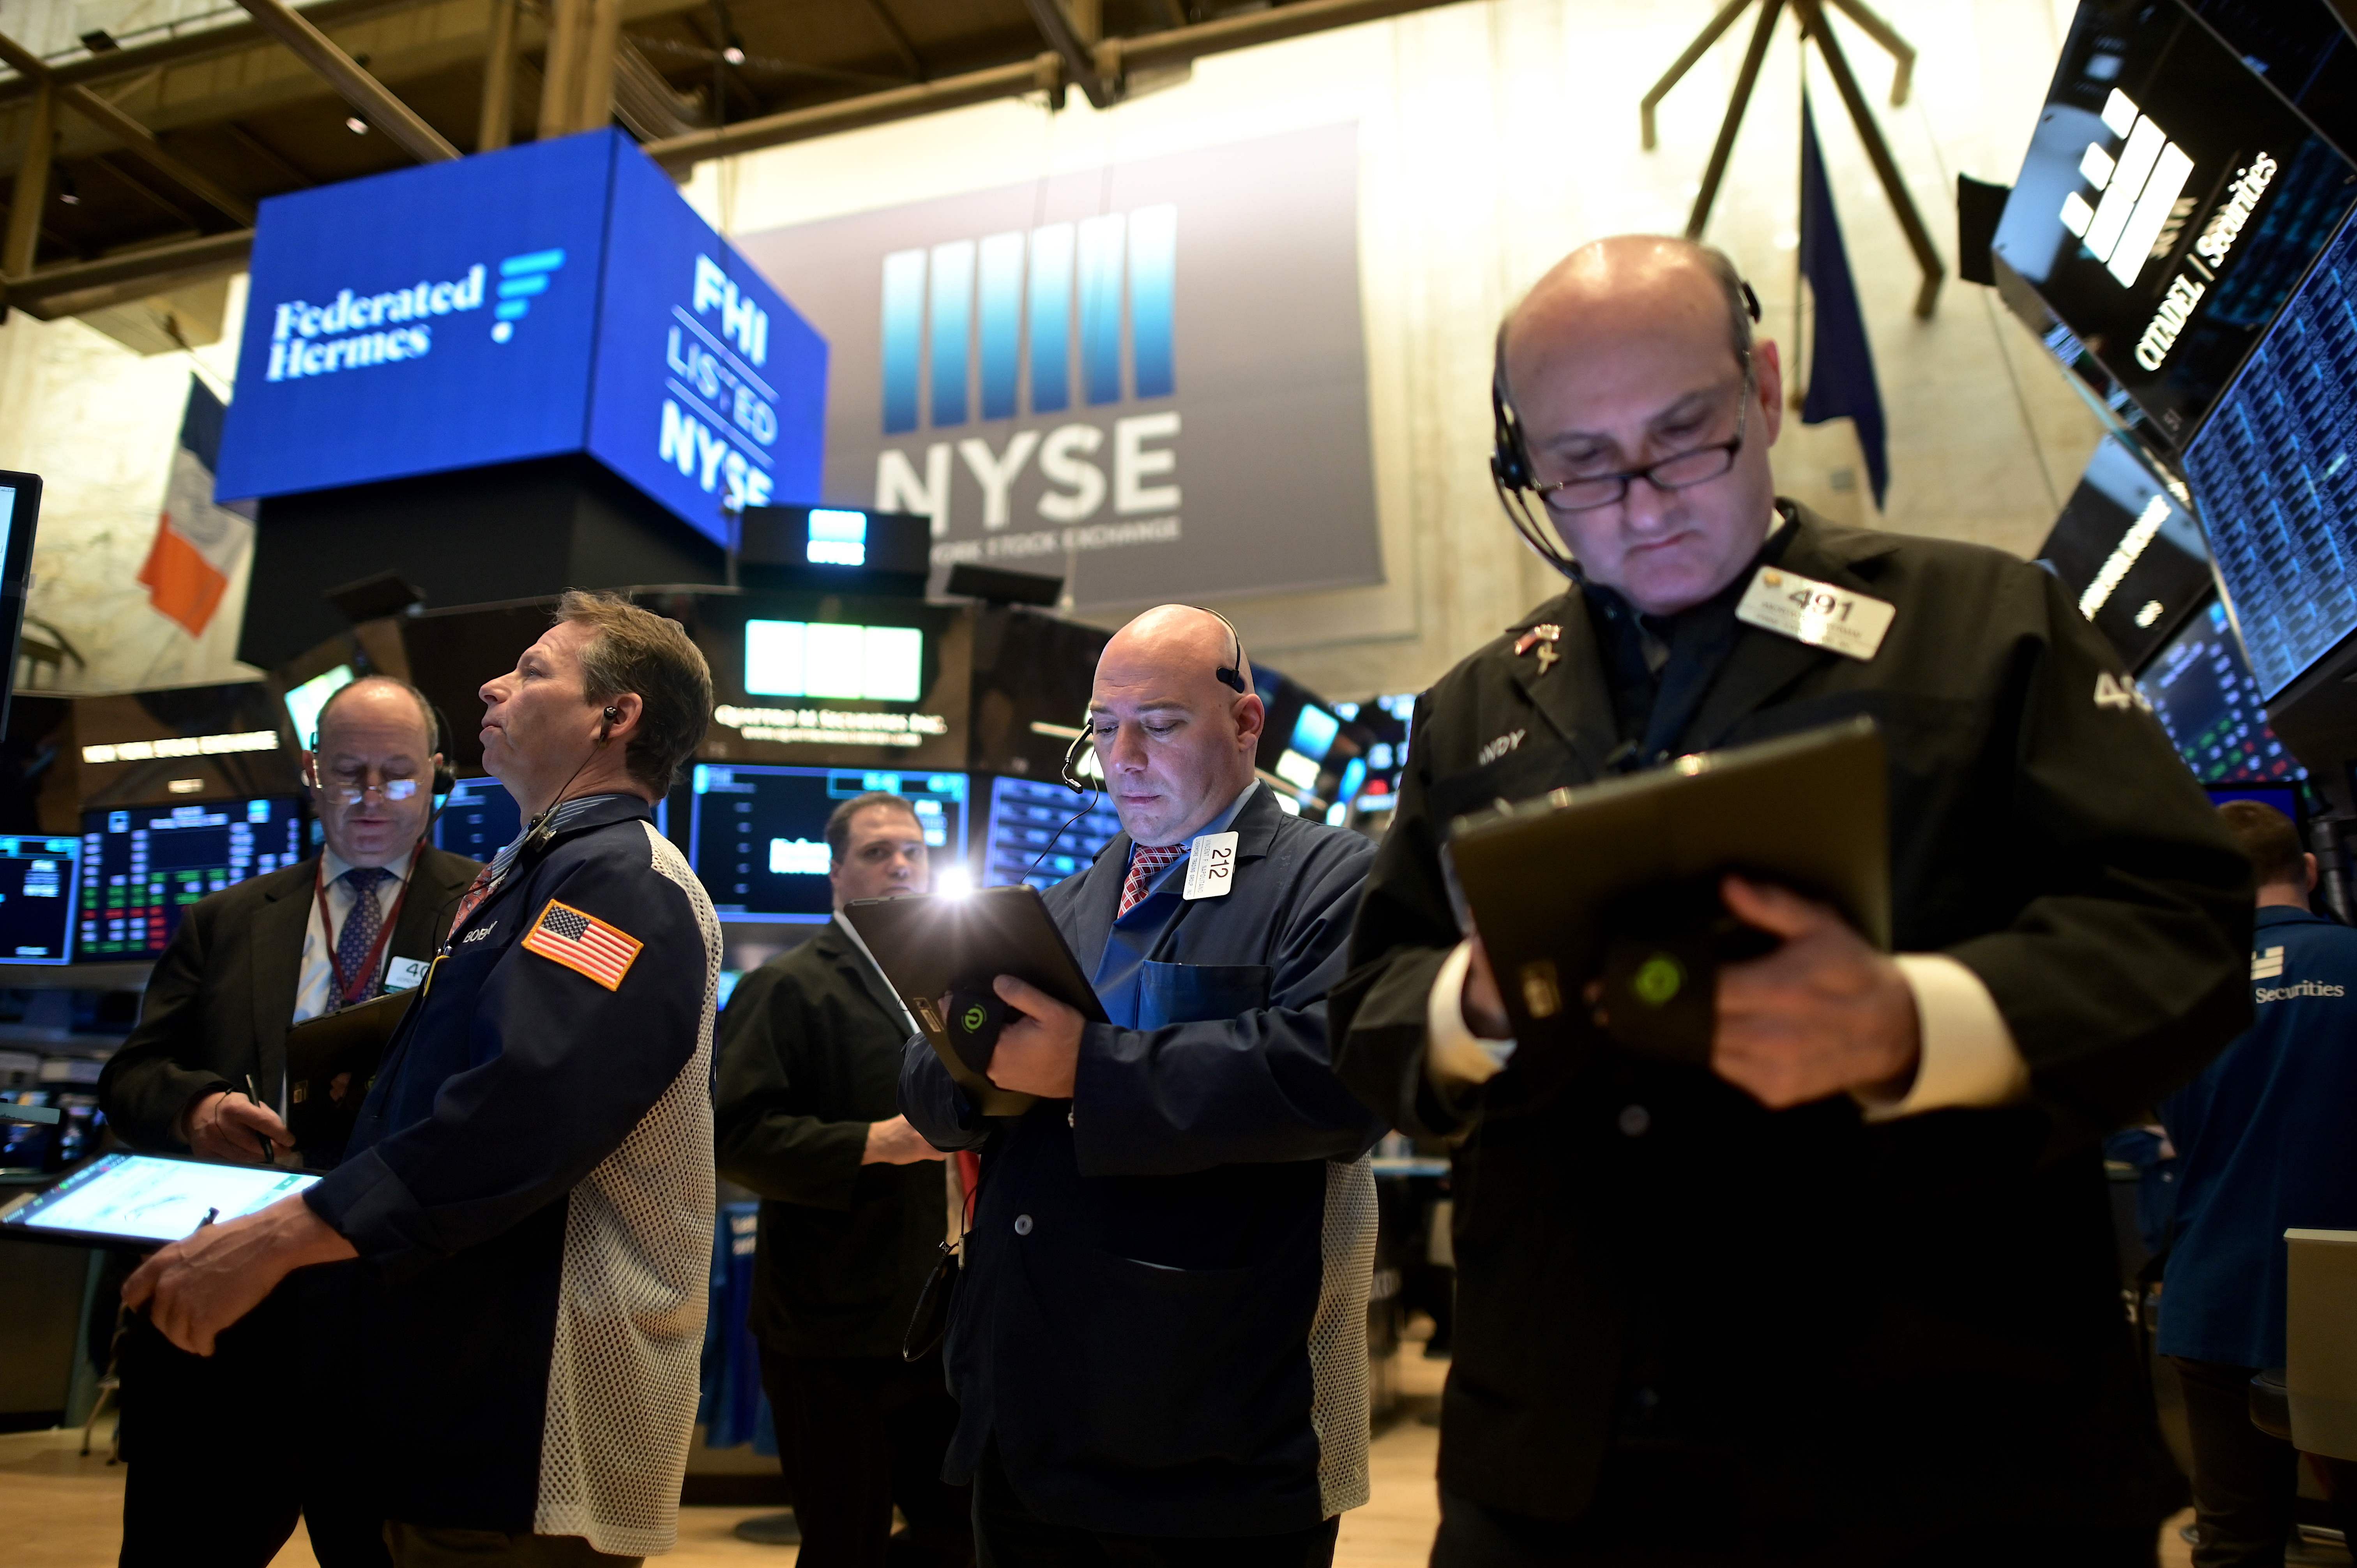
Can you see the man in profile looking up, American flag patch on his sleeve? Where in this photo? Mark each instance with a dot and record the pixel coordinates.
(529, 1187)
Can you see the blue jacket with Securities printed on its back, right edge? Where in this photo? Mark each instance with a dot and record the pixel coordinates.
(2264, 1145)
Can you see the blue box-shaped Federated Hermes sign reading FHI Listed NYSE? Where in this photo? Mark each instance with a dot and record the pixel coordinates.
(553, 298)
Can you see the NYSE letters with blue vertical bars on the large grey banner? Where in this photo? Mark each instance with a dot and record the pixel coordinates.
(1034, 327)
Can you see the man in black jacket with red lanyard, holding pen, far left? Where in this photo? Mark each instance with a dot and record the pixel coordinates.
(242, 970)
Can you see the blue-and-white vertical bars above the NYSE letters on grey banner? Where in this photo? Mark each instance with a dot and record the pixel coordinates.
(996, 324)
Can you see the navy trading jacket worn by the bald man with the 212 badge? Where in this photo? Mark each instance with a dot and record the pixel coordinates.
(1163, 1310)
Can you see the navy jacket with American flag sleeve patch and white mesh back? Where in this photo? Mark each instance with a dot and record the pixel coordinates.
(532, 1197)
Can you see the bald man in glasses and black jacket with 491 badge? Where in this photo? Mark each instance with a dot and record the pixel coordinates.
(1847, 1296)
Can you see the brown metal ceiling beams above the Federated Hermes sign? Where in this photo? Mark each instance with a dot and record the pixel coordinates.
(133, 166)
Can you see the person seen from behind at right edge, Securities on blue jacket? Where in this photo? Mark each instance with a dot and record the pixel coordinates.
(2264, 1147)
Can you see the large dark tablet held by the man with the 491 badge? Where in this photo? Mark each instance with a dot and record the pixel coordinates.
(1618, 881)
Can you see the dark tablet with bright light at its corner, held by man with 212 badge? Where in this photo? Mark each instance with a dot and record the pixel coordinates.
(932, 947)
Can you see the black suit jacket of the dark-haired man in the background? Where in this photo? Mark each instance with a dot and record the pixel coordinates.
(810, 1058)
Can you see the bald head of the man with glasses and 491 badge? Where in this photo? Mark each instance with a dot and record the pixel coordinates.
(1625, 355)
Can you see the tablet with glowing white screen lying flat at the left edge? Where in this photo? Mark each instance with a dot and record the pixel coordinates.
(147, 1201)
